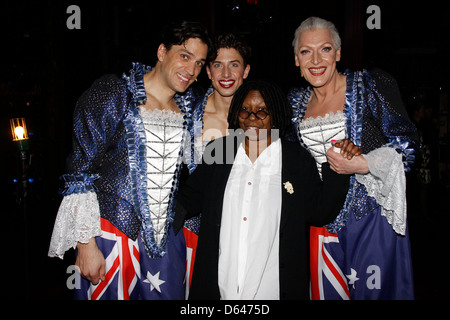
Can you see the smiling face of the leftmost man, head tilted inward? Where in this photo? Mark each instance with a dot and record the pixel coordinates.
(182, 63)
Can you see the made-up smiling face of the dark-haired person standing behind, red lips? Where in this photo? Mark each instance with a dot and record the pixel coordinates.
(227, 72)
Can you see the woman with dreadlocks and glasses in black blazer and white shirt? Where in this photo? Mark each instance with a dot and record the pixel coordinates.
(249, 189)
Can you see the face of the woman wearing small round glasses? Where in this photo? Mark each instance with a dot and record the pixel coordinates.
(255, 129)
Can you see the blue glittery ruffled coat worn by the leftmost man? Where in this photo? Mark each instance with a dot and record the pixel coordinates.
(108, 154)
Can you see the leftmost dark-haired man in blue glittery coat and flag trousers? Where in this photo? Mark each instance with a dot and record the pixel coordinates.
(128, 142)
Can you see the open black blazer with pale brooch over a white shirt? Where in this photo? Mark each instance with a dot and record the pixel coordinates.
(311, 203)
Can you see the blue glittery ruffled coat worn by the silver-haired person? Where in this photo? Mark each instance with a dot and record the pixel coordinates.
(375, 118)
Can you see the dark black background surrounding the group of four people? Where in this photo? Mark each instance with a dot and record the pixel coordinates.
(44, 68)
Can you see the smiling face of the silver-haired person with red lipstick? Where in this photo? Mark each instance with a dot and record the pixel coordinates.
(316, 56)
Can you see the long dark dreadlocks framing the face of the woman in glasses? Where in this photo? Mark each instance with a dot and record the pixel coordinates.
(276, 103)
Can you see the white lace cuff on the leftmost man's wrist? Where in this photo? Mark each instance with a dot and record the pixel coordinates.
(78, 220)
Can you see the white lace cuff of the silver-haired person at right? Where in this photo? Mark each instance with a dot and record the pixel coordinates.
(386, 183)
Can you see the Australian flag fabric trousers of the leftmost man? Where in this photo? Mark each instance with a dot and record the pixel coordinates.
(131, 274)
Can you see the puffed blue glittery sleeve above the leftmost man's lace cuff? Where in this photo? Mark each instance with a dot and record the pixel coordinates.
(97, 114)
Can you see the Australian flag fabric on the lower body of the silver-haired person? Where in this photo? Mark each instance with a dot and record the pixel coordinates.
(365, 260)
